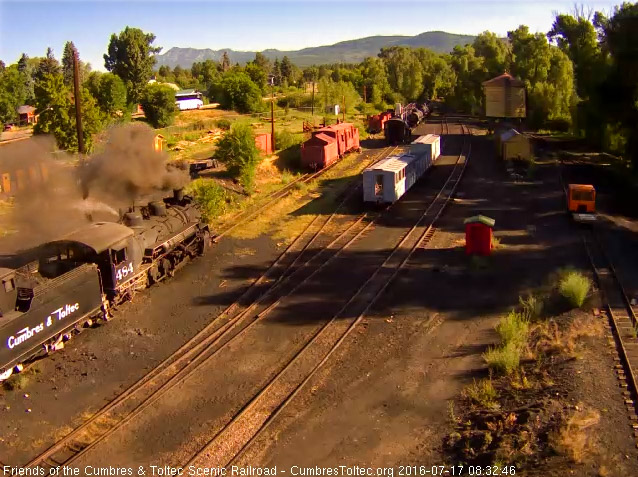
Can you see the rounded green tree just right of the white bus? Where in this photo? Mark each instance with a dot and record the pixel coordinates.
(237, 91)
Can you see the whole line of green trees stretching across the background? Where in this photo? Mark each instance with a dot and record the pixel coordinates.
(581, 76)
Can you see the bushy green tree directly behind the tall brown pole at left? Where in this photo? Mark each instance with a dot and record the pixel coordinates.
(57, 113)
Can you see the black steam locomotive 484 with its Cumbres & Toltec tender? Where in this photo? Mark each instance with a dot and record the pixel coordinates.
(81, 276)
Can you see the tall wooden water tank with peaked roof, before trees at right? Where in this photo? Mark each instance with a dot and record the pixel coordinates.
(504, 97)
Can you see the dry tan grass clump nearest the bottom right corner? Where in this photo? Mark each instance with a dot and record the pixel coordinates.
(574, 437)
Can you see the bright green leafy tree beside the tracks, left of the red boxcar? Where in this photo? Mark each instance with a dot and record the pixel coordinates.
(237, 150)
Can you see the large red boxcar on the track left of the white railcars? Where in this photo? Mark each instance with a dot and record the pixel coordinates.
(329, 144)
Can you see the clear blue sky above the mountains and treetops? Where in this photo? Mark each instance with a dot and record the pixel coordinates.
(32, 26)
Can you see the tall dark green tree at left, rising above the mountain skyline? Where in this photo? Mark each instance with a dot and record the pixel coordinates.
(131, 57)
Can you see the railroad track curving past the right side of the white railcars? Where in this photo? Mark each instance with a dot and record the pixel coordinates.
(231, 442)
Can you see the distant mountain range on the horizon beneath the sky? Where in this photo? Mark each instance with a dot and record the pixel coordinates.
(351, 51)
